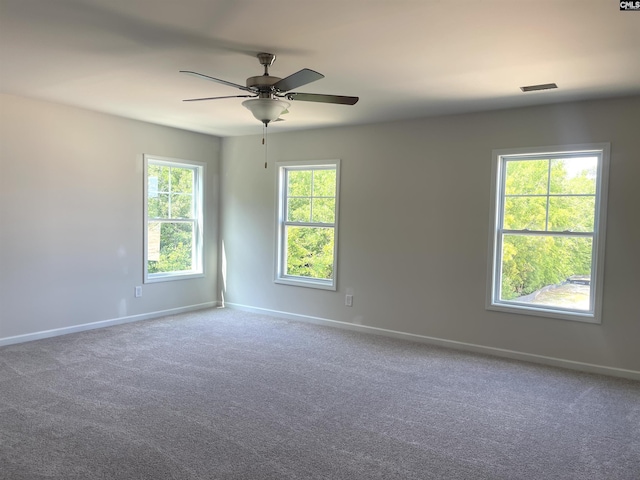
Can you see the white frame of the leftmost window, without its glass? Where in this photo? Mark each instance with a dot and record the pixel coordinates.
(197, 221)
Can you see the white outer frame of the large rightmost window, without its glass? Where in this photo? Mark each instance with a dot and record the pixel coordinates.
(499, 158)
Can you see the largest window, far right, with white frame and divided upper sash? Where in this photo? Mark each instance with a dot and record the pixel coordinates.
(547, 239)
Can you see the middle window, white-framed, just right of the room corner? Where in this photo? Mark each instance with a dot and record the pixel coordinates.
(307, 223)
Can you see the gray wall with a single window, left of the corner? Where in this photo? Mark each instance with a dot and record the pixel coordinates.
(71, 217)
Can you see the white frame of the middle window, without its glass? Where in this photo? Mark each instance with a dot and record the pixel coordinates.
(281, 243)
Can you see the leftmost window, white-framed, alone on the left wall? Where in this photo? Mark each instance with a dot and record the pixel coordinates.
(173, 219)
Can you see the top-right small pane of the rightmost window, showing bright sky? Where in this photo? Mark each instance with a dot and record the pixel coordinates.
(574, 175)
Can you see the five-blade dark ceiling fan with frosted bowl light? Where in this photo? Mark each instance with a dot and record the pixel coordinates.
(267, 91)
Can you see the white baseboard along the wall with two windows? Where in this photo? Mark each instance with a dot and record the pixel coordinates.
(469, 347)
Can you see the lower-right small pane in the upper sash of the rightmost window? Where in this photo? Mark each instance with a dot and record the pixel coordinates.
(575, 214)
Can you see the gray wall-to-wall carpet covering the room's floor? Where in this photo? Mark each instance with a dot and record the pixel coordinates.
(222, 394)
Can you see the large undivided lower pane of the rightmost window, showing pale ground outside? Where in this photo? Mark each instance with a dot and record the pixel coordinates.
(546, 270)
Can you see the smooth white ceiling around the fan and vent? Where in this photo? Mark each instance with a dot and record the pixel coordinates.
(403, 58)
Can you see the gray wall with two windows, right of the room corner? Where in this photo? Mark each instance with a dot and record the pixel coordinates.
(414, 226)
